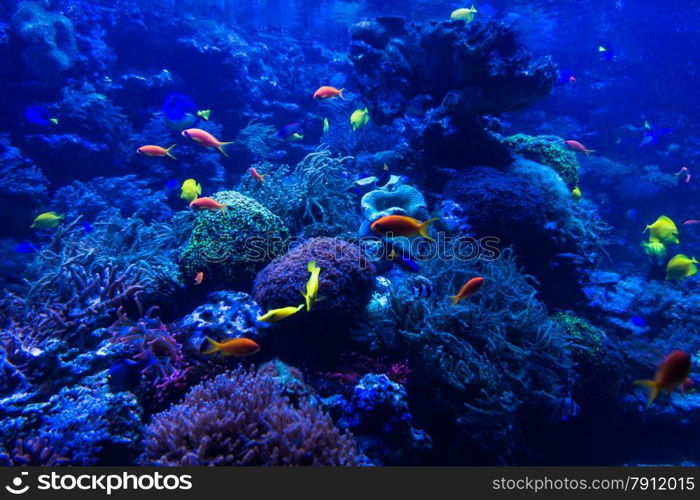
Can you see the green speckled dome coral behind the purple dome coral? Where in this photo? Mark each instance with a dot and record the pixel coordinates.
(230, 247)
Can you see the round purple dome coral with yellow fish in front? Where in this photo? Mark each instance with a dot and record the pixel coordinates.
(345, 281)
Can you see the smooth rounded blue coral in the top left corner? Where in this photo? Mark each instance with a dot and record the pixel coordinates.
(48, 37)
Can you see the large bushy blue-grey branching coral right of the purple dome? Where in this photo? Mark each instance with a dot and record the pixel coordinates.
(490, 362)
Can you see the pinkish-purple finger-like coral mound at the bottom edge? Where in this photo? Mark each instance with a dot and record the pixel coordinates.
(242, 418)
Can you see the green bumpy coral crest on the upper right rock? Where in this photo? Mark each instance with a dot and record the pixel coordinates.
(548, 150)
